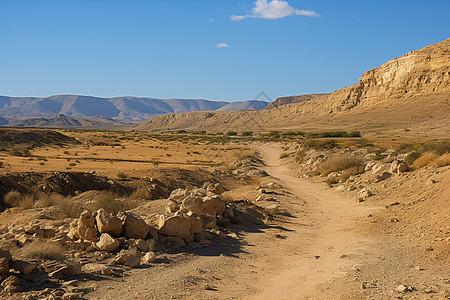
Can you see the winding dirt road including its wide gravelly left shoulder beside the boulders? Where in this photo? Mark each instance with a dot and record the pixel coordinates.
(311, 255)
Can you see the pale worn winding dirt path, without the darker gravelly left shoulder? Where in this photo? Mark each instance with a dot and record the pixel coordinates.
(324, 249)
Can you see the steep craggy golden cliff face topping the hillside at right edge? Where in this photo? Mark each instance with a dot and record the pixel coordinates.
(418, 72)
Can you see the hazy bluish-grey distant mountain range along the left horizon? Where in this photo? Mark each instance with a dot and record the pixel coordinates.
(88, 111)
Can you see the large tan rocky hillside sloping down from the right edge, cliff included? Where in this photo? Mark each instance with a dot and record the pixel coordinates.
(410, 93)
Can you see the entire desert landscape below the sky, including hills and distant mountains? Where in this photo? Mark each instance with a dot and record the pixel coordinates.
(322, 196)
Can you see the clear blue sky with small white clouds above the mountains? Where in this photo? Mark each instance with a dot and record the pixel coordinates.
(171, 48)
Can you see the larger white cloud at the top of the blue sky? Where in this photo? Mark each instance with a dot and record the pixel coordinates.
(275, 9)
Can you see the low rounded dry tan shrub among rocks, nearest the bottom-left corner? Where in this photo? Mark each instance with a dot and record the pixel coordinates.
(43, 250)
